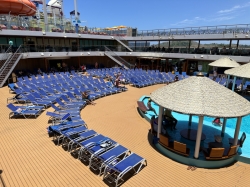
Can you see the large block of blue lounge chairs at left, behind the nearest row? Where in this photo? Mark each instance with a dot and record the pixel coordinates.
(51, 89)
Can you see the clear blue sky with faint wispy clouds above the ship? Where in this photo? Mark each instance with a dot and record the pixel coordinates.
(160, 14)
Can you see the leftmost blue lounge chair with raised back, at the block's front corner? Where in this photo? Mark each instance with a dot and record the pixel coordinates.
(16, 111)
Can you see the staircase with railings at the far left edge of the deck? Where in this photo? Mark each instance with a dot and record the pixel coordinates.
(9, 65)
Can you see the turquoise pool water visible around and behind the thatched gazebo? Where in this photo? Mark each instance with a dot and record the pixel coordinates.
(230, 126)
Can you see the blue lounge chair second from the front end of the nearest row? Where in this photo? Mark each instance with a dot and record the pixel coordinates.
(102, 160)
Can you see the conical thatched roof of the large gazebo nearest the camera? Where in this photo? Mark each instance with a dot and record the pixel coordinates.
(201, 96)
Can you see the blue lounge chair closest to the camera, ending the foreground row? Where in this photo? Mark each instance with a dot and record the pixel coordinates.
(114, 173)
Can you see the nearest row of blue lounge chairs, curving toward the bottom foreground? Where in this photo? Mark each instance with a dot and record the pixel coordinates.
(102, 154)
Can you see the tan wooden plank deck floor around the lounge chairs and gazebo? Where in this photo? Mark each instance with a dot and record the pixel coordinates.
(28, 157)
